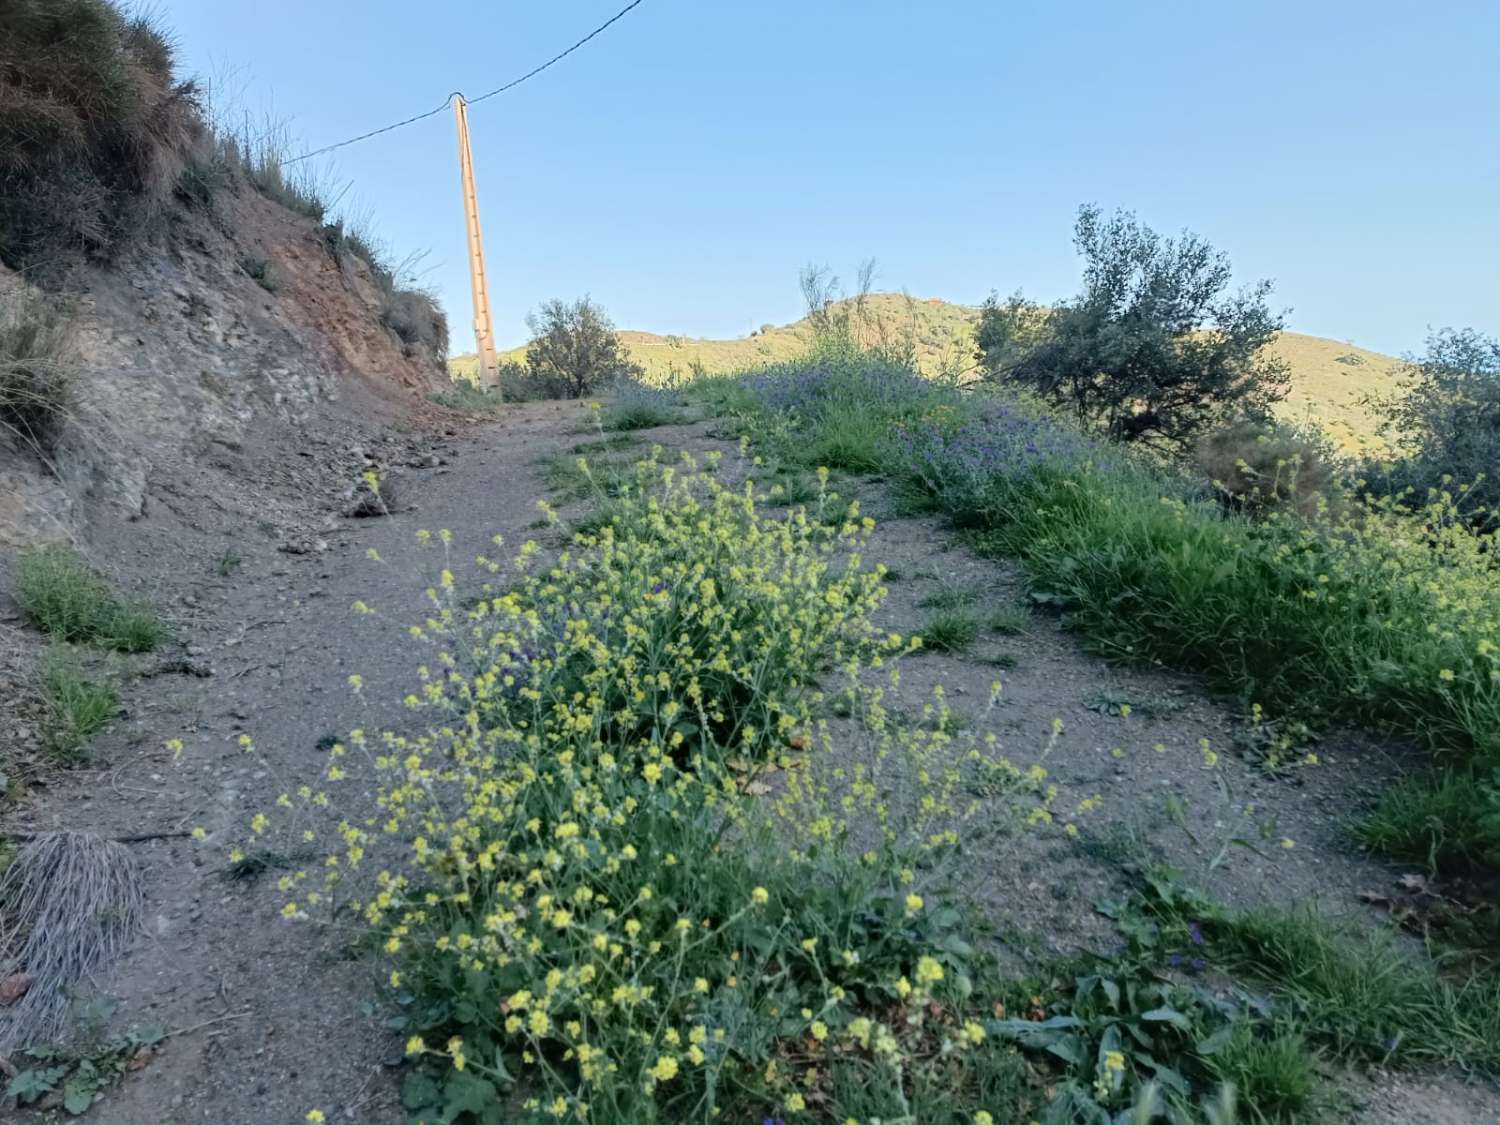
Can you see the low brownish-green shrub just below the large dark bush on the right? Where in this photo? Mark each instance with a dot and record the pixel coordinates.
(1270, 467)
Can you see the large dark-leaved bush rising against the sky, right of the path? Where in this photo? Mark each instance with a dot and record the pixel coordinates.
(1154, 350)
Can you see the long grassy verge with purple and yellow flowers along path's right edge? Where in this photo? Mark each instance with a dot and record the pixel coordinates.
(1379, 616)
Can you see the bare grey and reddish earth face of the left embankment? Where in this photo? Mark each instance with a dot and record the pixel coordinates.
(245, 319)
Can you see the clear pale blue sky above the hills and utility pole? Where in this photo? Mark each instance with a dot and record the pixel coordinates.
(688, 163)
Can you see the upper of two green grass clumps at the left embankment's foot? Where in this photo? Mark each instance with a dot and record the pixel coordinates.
(73, 602)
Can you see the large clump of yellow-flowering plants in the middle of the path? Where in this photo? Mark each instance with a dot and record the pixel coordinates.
(628, 874)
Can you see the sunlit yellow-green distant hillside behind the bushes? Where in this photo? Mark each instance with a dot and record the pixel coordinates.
(1328, 379)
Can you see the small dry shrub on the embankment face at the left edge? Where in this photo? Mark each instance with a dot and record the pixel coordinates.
(37, 370)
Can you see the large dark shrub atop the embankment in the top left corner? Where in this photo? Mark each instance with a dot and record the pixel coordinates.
(92, 137)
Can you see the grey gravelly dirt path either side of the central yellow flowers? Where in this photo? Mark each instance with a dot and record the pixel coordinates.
(287, 1019)
